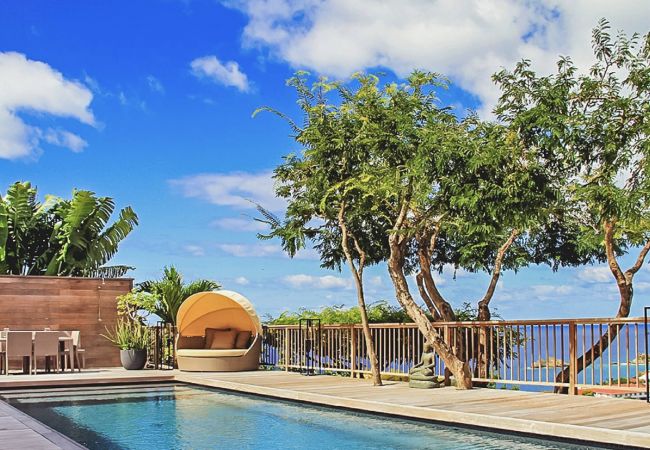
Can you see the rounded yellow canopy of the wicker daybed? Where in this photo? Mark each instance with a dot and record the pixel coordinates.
(216, 309)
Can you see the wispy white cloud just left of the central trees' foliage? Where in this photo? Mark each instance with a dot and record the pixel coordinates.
(234, 189)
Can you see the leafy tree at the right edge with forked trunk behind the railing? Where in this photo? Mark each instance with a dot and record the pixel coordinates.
(595, 125)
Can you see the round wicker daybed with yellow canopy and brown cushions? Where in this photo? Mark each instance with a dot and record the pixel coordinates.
(218, 331)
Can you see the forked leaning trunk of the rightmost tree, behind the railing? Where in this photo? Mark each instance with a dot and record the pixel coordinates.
(624, 282)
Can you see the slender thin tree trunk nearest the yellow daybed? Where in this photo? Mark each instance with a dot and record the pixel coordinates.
(357, 274)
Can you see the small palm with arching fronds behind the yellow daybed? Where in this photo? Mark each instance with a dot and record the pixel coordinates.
(170, 292)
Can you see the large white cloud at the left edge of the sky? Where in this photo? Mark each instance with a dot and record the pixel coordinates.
(29, 86)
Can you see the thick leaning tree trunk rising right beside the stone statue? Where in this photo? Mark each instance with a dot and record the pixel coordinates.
(459, 368)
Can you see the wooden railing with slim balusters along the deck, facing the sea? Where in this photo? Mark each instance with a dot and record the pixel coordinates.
(521, 352)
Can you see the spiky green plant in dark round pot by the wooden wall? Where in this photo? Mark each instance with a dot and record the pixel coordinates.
(132, 338)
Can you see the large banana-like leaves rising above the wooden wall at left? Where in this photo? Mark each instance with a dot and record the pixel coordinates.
(60, 237)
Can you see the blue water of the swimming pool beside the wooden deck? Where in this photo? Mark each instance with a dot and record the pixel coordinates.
(186, 417)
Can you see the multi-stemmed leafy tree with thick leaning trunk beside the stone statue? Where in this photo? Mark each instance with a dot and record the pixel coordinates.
(448, 191)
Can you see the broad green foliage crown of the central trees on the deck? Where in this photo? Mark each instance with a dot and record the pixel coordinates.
(374, 151)
